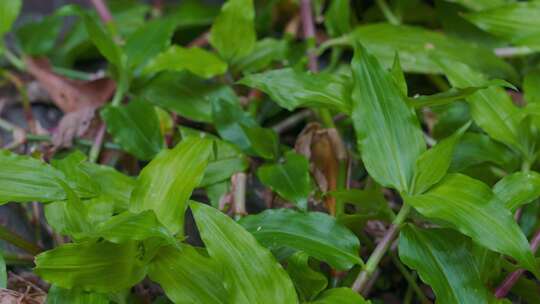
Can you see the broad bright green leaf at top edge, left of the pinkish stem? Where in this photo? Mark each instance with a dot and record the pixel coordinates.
(233, 32)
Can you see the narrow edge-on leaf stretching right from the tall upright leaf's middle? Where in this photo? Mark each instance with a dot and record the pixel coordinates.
(454, 94)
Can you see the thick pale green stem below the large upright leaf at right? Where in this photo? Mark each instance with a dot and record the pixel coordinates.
(381, 249)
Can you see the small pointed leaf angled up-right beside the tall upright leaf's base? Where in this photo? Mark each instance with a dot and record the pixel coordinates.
(433, 164)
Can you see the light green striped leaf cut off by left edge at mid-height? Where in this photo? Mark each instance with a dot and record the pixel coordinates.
(26, 179)
